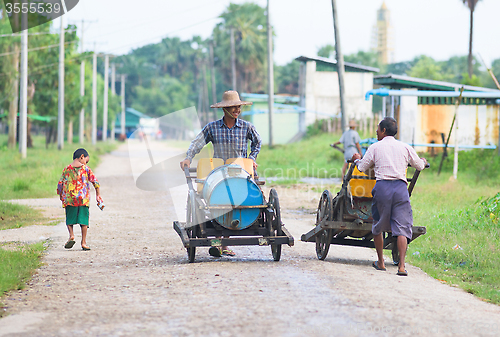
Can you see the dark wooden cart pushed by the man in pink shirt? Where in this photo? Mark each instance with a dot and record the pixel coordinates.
(346, 219)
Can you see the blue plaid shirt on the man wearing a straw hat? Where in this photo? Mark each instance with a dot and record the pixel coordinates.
(228, 143)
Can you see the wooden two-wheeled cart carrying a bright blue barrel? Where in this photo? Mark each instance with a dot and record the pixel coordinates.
(231, 210)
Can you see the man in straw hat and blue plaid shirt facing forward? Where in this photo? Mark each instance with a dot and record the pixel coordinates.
(229, 136)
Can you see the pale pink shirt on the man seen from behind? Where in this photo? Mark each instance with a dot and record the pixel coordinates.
(390, 158)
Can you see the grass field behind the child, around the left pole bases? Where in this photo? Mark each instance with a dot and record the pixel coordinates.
(38, 174)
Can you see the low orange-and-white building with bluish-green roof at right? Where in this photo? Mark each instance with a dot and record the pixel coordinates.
(423, 120)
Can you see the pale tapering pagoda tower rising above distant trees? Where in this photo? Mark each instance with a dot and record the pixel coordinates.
(383, 36)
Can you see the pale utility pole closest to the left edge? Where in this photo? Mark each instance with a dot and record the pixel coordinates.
(23, 118)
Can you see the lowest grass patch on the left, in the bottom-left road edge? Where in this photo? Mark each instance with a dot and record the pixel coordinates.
(18, 263)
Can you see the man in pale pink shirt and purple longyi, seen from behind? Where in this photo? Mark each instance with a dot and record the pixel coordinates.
(391, 208)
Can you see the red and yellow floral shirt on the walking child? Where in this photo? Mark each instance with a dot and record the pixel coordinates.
(74, 185)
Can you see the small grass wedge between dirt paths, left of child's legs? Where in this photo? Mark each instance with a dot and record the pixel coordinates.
(15, 216)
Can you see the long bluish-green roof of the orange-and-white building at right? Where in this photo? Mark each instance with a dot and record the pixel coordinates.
(402, 81)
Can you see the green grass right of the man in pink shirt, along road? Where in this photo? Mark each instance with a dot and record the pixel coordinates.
(462, 244)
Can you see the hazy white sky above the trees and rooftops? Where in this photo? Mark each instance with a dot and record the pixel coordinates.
(438, 28)
